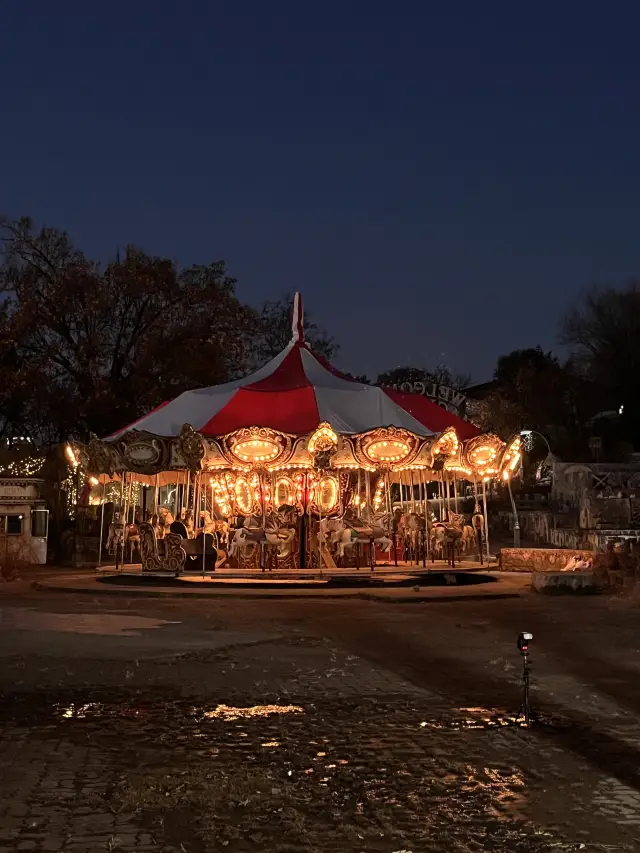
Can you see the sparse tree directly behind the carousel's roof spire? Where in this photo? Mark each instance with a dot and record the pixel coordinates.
(274, 332)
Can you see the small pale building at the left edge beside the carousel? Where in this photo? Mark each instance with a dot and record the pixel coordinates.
(24, 520)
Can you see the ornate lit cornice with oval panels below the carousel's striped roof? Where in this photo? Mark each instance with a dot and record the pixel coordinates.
(250, 449)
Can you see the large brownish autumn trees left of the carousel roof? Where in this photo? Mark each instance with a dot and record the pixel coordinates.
(85, 348)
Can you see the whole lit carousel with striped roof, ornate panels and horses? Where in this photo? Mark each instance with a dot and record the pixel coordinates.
(297, 466)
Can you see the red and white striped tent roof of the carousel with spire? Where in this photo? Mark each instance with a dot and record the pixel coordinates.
(295, 392)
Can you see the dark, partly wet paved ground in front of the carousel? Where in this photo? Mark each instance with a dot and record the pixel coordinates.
(136, 724)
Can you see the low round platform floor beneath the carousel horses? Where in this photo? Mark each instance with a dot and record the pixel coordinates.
(402, 573)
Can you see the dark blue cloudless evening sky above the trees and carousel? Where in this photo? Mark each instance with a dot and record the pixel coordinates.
(437, 179)
